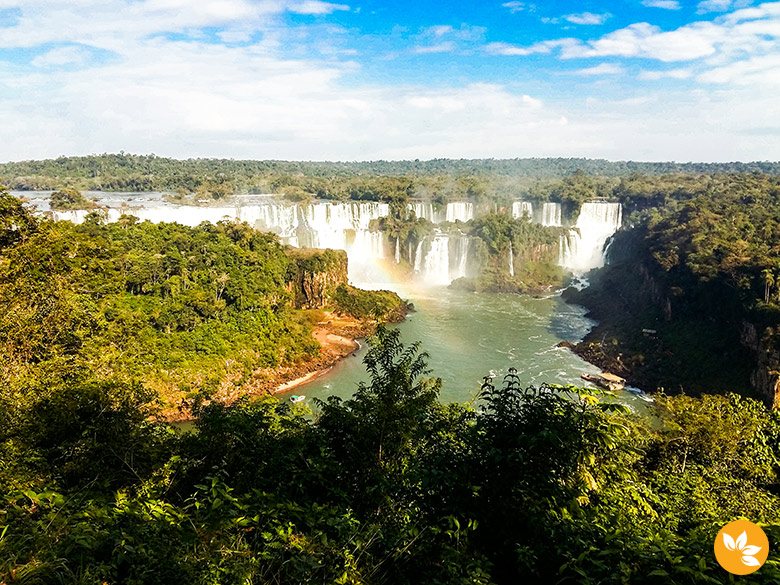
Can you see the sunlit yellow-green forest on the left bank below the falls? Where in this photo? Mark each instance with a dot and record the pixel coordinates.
(182, 310)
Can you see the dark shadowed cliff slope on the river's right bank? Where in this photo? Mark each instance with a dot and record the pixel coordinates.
(666, 330)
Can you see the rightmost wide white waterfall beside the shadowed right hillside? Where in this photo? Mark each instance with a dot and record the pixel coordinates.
(584, 251)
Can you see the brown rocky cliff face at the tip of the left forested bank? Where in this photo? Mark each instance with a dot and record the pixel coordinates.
(313, 276)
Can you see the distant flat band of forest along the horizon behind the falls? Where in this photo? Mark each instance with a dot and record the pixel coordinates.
(437, 179)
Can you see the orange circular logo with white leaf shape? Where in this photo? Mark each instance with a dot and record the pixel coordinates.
(741, 547)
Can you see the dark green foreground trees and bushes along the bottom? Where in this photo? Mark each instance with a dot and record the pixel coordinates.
(537, 485)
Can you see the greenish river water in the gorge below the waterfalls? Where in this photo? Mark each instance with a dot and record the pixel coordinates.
(472, 335)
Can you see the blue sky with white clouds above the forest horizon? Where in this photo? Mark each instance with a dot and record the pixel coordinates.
(314, 80)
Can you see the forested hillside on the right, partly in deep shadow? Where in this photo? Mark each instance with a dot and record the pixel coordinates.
(699, 265)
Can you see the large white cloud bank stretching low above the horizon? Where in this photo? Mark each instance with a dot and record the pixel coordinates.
(194, 99)
